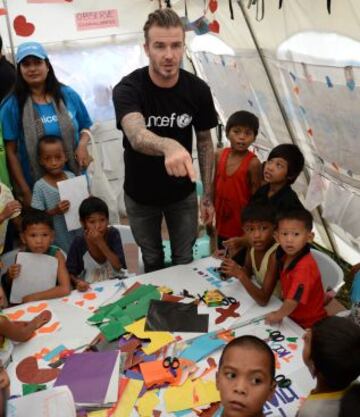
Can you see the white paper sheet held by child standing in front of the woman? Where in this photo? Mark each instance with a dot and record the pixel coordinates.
(74, 190)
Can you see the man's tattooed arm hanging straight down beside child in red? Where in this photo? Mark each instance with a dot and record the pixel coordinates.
(205, 150)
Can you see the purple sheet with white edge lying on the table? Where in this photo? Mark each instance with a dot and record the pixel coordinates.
(92, 377)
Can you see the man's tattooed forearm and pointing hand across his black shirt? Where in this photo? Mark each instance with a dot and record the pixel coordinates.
(178, 161)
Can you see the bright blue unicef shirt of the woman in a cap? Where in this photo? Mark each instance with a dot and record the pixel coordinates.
(11, 121)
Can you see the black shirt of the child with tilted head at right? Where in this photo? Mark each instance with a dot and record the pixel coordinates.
(283, 201)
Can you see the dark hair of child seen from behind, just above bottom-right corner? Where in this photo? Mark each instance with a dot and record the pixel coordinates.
(335, 351)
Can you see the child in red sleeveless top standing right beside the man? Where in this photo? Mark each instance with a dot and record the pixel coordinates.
(237, 174)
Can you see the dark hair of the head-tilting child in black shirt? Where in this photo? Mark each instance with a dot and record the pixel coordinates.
(293, 156)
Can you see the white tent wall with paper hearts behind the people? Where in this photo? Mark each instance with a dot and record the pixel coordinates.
(296, 67)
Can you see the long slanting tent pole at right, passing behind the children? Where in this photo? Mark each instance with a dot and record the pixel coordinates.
(283, 114)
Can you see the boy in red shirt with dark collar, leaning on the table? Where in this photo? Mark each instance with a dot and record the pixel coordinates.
(300, 277)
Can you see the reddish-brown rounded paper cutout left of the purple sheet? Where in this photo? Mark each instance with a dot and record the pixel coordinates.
(29, 372)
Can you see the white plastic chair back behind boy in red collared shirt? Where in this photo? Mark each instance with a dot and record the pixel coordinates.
(332, 276)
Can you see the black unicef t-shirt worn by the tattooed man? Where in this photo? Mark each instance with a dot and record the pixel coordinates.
(168, 112)
